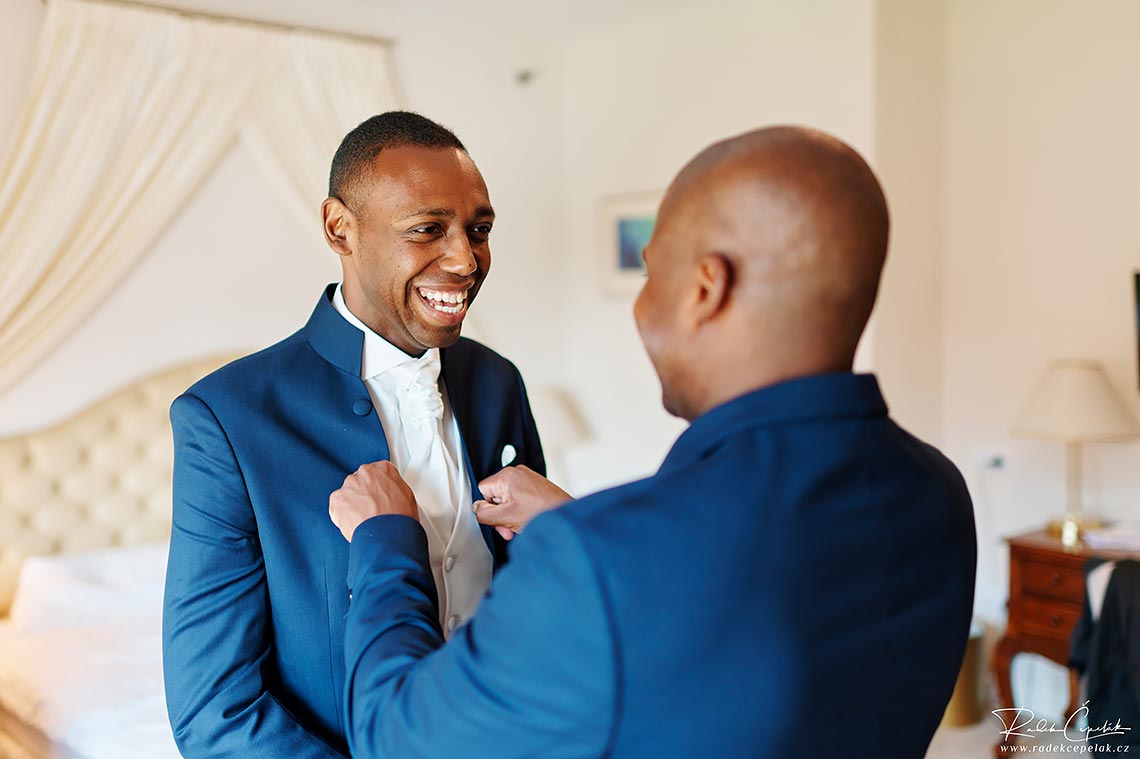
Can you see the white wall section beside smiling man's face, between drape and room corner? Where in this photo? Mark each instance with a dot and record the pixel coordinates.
(470, 83)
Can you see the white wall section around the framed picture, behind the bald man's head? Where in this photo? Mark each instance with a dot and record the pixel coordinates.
(640, 102)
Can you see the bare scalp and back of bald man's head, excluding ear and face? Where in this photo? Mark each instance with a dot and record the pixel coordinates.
(804, 223)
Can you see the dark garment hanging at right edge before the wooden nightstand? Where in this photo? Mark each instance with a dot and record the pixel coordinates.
(1109, 652)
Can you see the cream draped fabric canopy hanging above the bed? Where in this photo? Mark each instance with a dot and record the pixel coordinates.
(129, 111)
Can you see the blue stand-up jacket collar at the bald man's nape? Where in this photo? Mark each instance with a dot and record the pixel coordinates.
(819, 397)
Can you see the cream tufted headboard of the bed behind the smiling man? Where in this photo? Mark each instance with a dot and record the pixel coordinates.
(99, 479)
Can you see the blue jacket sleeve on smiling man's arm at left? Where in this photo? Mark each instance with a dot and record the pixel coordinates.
(216, 635)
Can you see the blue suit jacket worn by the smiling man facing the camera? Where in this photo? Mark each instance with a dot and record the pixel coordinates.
(254, 623)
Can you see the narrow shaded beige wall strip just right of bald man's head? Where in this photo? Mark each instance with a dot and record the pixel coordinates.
(910, 62)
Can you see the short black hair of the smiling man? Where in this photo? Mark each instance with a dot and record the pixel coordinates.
(362, 146)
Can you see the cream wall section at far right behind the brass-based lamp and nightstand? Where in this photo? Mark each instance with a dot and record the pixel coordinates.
(1043, 186)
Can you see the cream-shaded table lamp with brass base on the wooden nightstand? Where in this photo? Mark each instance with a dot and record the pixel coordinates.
(1076, 404)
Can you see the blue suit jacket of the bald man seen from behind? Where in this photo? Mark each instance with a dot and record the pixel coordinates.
(796, 581)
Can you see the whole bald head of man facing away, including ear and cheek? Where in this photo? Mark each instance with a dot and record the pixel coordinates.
(770, 247)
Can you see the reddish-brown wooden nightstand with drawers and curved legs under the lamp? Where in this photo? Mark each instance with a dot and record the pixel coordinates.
(1046, 601)
